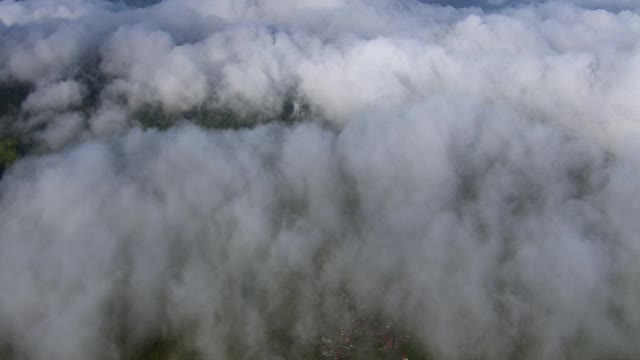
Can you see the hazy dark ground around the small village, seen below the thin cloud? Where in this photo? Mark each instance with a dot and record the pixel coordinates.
(367, 342)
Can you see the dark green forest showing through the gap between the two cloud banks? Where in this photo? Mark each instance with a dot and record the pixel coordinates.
(18, 135)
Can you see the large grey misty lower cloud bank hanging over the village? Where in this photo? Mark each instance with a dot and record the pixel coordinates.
(480, 231)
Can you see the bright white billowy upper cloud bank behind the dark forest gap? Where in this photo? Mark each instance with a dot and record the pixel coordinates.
(338, 57)
